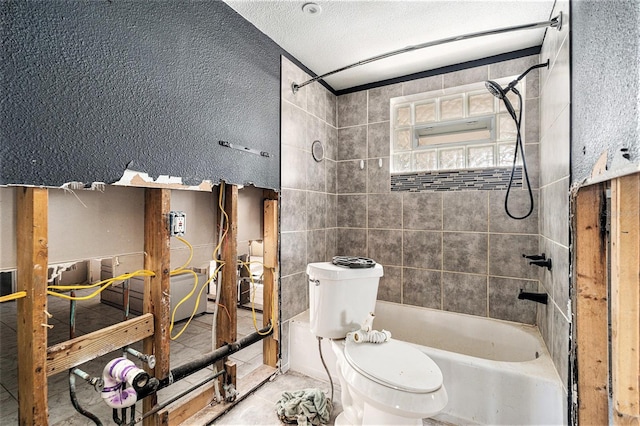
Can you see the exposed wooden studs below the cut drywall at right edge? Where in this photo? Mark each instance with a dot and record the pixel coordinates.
(607, 297)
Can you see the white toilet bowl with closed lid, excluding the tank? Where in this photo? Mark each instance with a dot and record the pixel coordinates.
(389, 383)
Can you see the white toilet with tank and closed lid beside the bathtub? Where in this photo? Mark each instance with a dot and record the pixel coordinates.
(390, 383)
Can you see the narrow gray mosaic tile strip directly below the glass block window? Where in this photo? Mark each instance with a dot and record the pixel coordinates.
(496, 179)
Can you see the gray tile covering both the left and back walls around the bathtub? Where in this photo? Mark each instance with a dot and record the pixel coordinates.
(451, 250)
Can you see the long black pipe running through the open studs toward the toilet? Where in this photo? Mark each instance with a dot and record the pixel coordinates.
(206, 360)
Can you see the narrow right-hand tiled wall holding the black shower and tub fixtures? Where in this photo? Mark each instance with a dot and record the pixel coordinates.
(554, 319)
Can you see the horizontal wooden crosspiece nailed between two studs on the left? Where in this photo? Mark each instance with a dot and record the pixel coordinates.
(66, 355)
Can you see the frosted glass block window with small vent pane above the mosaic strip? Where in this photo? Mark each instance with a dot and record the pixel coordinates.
(465, 128)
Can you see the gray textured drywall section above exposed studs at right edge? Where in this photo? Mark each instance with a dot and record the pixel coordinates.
(605, 82)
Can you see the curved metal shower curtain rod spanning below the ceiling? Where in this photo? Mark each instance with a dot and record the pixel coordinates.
(554, 23)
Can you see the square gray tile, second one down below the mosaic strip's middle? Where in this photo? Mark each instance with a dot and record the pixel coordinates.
(464, 252)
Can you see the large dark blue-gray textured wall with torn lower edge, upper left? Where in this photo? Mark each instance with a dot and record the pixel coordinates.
(91, 88)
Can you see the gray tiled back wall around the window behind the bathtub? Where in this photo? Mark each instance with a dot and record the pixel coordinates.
(443, 238)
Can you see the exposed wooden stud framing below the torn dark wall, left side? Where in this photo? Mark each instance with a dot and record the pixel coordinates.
(38, 362)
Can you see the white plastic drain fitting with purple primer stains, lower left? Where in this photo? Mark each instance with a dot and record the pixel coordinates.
(118, 373)
